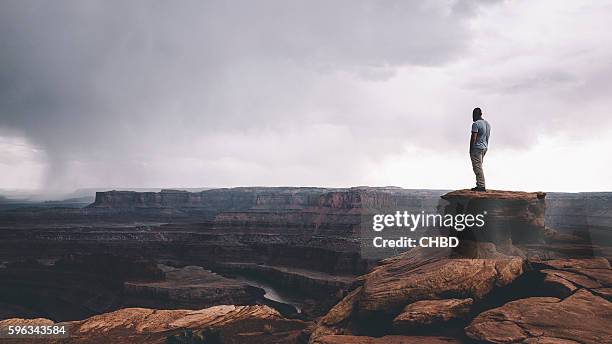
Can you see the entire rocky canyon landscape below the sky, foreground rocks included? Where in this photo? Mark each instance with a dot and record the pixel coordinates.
(287, 265)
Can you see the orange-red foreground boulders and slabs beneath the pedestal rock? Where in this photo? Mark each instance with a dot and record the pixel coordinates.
(573, 307)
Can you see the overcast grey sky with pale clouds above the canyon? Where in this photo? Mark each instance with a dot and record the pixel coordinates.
(321, 93)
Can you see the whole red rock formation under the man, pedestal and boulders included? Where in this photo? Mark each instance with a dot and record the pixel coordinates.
(502, 286)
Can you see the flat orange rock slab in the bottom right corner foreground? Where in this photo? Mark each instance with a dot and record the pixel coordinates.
(582, 317)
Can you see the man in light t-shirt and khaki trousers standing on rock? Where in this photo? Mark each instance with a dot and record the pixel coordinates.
(479, 143)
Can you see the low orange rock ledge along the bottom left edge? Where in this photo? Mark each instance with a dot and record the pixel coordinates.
(236, 324)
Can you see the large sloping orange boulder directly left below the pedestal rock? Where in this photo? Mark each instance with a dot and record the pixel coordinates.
(417, 275)
